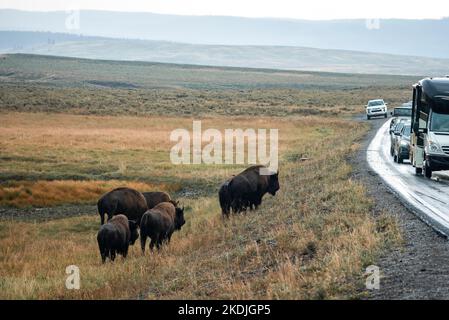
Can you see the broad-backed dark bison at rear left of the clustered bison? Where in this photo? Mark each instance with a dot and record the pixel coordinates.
(125, 201)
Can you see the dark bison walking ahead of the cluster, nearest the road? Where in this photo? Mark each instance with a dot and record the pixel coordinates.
(247, 189)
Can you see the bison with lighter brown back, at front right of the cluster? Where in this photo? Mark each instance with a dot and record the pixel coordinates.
(159, 224)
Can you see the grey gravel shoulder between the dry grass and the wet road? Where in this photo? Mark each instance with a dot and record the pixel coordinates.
(419, 269)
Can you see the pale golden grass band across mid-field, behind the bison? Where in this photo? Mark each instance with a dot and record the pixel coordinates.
(72, 147)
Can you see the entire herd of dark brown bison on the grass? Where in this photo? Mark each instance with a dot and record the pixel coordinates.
(158, 216)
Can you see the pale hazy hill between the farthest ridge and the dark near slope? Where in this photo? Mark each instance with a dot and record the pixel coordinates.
(272, 57)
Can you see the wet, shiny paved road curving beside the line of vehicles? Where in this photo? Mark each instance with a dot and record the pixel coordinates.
(429, 199)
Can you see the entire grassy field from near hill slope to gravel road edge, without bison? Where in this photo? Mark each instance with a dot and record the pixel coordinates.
(72, 129)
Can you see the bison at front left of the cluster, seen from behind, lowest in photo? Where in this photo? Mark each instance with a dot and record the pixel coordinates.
(115, 237)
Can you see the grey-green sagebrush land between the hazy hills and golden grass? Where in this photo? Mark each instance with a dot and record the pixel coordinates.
(77, 86)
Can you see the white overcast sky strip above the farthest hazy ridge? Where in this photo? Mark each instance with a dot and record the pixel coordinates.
(299, 9)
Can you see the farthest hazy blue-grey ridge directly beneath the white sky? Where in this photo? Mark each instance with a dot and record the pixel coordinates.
(404, 37)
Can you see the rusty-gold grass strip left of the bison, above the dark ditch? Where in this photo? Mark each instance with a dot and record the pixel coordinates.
(22, 194)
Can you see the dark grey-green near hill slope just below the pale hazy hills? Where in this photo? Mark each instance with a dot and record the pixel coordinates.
(63, 71)
